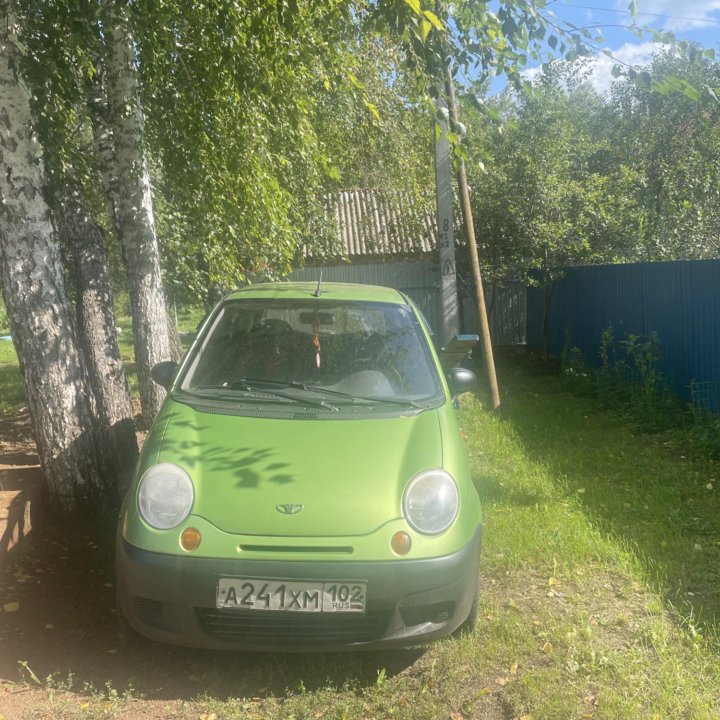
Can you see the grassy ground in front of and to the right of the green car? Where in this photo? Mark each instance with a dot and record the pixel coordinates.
(599, 590)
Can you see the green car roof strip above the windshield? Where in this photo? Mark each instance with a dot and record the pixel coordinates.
(328, 291)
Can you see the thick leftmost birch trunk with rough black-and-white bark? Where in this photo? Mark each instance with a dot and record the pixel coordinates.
(40, 314)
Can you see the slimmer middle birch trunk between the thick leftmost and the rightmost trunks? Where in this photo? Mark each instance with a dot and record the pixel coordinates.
(98, 335)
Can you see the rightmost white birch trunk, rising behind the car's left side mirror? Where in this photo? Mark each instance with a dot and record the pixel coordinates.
(134, 211)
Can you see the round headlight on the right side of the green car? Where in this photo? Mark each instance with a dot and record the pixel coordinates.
(431, 502)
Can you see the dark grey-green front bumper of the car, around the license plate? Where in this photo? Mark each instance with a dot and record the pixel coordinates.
(172, 599)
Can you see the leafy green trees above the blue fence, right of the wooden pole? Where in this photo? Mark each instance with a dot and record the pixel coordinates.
(563, 176)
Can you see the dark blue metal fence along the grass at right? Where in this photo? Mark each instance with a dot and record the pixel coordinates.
(680, 301)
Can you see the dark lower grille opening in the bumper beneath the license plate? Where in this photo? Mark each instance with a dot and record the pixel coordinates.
(292, 628)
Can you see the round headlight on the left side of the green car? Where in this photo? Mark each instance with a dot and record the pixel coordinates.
(166, 496)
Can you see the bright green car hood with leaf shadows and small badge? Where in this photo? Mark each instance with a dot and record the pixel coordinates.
(285, 477)
